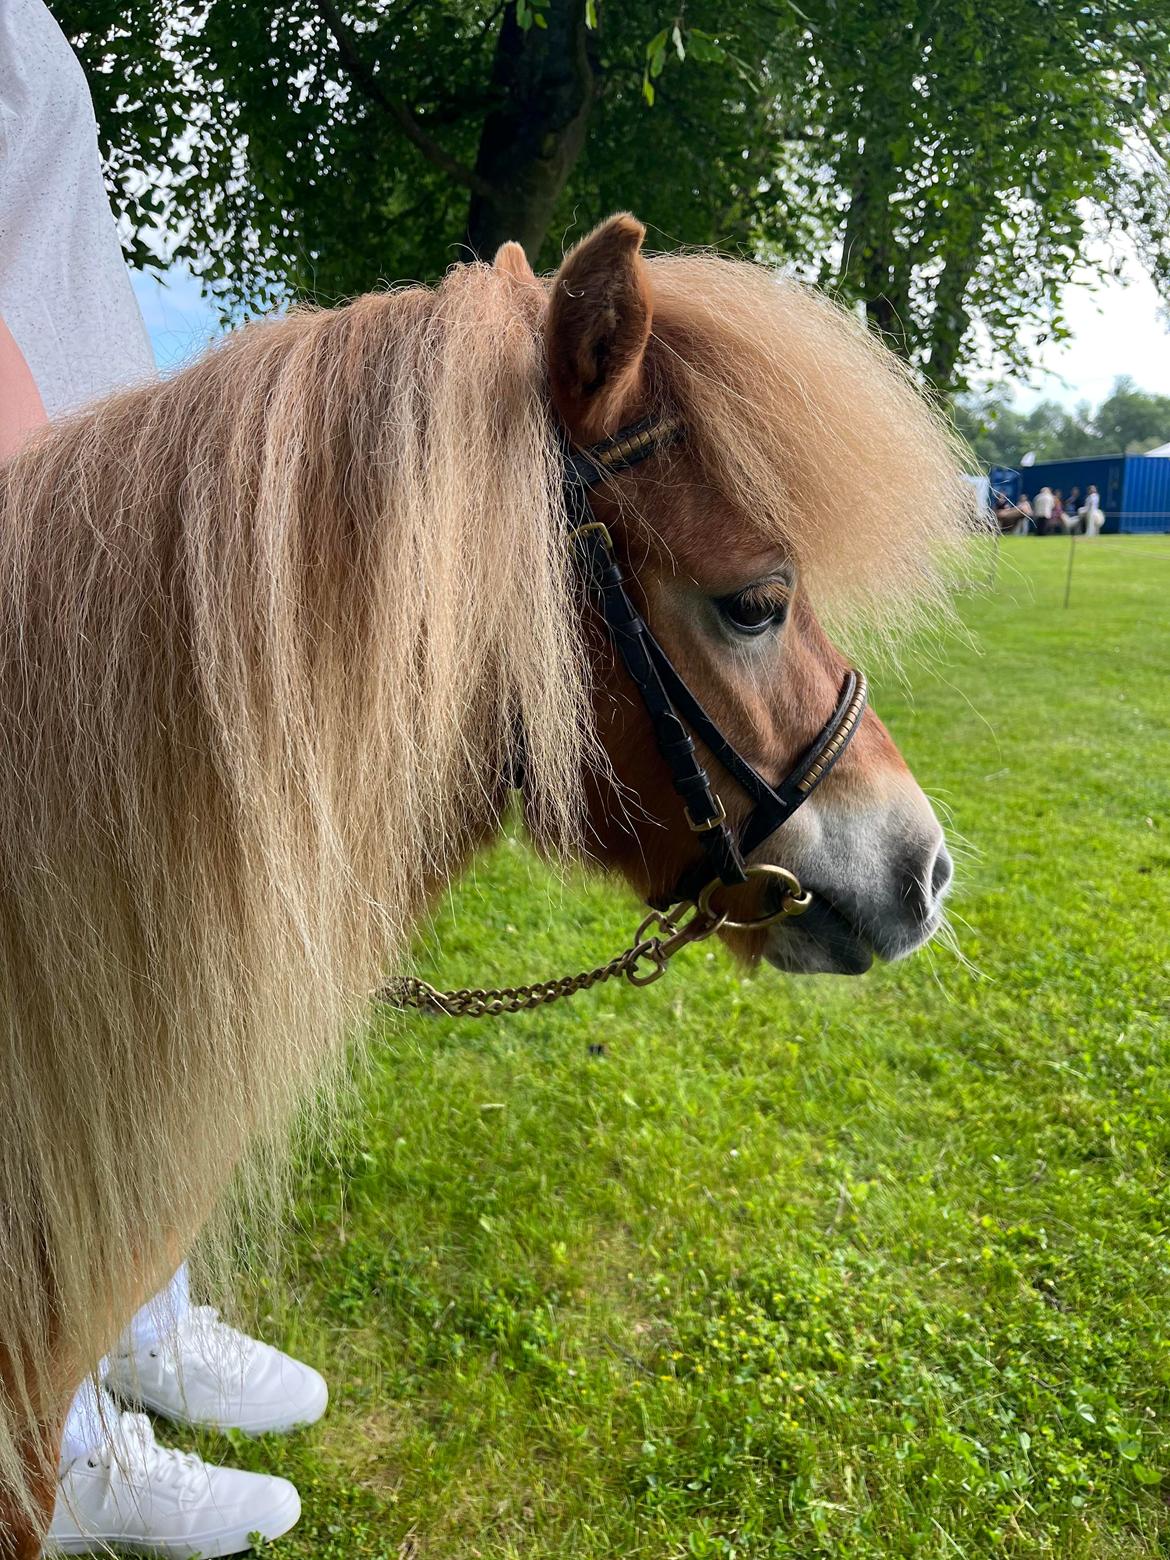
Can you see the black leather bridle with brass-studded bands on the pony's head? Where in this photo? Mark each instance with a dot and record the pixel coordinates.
(672, 706)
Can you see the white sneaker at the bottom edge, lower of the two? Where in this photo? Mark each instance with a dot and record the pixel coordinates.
(132, 1494)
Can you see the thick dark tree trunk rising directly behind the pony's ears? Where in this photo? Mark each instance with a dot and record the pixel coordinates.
(542, 82)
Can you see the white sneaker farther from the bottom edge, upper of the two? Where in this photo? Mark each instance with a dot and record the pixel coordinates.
(208, 1374)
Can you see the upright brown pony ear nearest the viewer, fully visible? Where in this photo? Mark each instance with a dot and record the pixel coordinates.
(598, 327)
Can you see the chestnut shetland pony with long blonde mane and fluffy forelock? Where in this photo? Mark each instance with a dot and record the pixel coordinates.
(269, 634)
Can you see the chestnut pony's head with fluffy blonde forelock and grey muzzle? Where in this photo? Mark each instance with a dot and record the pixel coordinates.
(787, 497)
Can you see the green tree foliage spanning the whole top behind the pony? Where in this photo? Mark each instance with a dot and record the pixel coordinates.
(946, 163)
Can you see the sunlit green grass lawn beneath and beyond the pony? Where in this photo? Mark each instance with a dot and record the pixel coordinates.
(798, 1267)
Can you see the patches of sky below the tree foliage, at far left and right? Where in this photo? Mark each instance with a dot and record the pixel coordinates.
(1118, 330)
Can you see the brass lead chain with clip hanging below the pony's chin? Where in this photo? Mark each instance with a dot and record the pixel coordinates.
(643, 963)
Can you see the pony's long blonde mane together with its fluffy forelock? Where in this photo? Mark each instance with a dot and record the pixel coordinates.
(268, 636)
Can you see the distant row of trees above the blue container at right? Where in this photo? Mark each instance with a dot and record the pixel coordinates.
(1129, 420)
